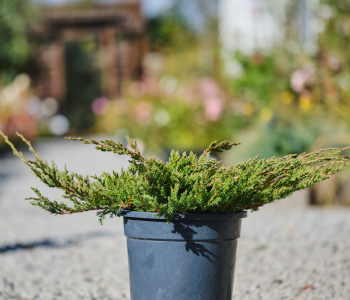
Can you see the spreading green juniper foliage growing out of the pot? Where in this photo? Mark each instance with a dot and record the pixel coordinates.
(185, 184)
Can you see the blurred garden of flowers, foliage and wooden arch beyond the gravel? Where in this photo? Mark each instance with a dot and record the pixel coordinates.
(273, 75)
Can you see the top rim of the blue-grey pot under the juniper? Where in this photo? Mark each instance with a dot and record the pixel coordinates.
(179, 217)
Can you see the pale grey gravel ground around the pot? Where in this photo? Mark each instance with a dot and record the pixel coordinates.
(287, 250)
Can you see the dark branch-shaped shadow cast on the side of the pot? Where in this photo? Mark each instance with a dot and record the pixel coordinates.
(197, 248)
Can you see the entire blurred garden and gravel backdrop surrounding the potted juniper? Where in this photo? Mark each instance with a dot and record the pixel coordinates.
(271, 74)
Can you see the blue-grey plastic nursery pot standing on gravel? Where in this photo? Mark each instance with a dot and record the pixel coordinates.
(191, 258)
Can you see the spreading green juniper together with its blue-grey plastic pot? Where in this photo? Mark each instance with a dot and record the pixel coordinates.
(182, 218)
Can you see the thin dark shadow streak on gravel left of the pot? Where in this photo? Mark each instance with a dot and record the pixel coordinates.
(54, 244)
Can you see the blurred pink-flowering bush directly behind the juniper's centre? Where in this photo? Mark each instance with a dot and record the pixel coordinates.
(164, 114)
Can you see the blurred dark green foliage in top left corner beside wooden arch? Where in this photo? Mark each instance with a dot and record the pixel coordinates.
(15, 50)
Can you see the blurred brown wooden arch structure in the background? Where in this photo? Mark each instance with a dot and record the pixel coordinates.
(119, 30)
